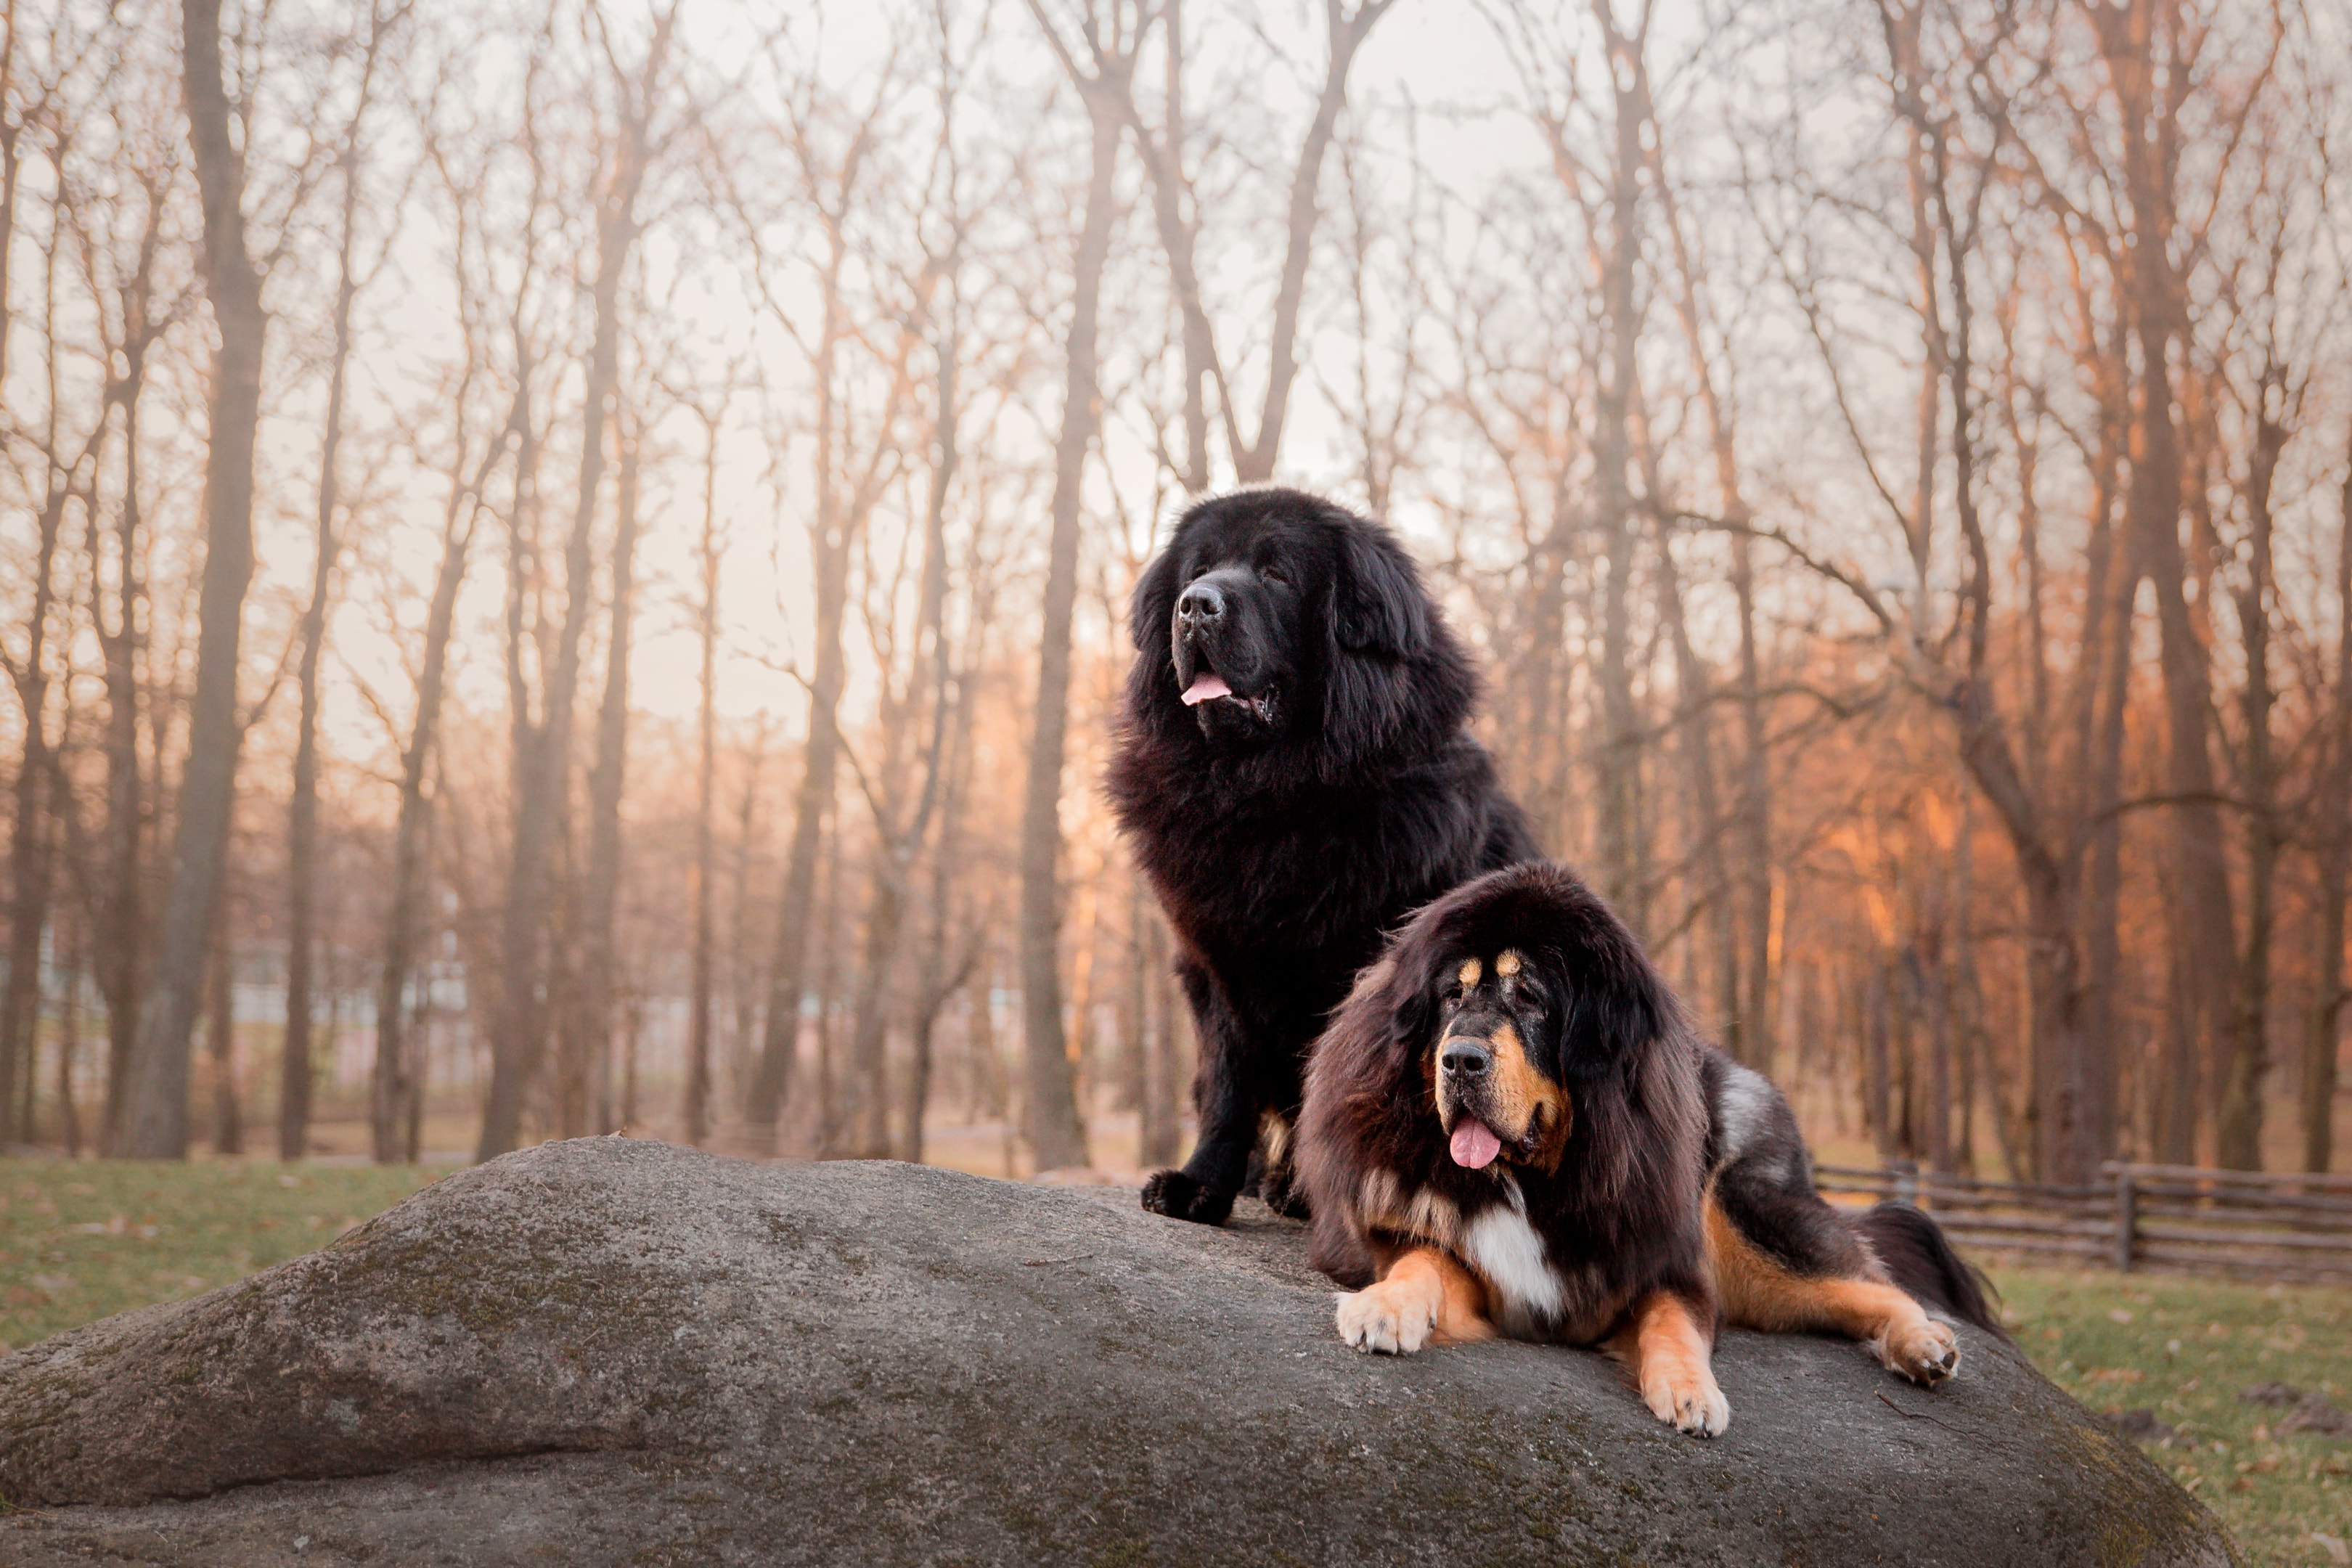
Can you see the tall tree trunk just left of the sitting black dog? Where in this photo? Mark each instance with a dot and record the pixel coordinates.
(1053, 1125)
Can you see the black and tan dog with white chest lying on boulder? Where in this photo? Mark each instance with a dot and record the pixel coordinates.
(1514, 1130)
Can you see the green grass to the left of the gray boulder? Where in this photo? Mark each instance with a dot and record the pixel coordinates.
(83, 1240)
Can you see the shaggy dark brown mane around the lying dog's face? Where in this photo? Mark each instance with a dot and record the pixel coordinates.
(1622, 1212)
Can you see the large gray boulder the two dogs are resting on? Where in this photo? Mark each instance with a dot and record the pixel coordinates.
(622, 1353)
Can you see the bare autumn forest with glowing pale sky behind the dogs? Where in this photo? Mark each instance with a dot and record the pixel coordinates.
(563, 565)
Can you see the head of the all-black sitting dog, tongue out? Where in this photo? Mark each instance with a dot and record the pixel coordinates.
(1288, 617)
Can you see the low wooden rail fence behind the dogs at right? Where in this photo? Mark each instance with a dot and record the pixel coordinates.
(2177, 1219)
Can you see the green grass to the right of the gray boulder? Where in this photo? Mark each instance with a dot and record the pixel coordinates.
(2186, 1351)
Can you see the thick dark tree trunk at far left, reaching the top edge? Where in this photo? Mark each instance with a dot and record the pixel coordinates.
(156, 1101)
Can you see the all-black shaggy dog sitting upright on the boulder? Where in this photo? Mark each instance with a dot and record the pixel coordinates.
(1295, 777)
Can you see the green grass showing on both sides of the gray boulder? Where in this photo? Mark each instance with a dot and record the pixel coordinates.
(81, 1240)
